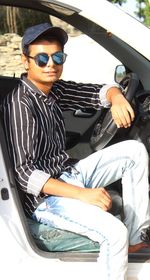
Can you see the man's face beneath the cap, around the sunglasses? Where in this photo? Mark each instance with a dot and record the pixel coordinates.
(48, 74)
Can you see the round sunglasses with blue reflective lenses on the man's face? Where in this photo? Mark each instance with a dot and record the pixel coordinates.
(41, 59)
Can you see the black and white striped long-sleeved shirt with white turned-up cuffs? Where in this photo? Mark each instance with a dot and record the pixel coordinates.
(35, 132)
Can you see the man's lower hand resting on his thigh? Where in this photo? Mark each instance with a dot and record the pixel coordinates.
(97, 196)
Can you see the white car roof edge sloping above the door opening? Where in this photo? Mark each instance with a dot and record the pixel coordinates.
(101, 12)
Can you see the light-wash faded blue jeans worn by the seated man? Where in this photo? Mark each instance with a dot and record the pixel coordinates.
(127, 161)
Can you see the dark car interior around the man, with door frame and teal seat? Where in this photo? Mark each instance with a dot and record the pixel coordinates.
(87, 131)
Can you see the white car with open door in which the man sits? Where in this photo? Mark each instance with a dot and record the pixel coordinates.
(111, 46)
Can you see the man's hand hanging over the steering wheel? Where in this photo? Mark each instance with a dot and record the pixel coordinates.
(122, 112)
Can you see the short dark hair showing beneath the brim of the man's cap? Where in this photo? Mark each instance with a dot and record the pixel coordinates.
(46, 37)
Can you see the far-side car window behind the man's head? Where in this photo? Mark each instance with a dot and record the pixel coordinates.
(87, 61)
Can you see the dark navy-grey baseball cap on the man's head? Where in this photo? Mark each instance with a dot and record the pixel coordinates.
(33, 32)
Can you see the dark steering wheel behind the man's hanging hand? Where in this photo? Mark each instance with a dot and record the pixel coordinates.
(106, 129)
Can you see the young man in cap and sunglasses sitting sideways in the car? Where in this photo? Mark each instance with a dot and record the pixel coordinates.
(59, 191)
